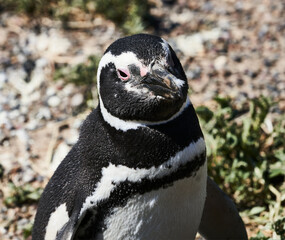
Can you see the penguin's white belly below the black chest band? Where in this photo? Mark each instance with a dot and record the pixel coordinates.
(169, 213)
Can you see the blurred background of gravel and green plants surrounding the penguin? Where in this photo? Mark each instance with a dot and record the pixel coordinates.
(233, 53)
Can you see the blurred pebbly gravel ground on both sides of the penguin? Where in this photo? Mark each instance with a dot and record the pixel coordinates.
(231, 48)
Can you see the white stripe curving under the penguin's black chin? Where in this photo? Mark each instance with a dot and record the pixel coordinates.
(125, 125)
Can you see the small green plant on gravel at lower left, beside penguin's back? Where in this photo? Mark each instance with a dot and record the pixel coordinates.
(22, 195)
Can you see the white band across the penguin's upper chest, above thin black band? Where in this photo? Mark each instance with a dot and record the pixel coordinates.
(113, 174)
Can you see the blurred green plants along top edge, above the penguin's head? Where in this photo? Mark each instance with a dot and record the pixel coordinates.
(131, 16)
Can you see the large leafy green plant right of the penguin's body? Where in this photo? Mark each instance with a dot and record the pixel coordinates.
(247, 158)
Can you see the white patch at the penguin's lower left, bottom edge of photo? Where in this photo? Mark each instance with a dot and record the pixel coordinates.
(56, 221)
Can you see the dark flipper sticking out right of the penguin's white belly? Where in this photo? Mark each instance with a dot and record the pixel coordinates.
(220, 219)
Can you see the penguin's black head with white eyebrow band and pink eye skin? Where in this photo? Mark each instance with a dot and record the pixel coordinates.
(141, 79)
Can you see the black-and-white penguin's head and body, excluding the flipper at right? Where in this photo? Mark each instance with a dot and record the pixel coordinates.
(139, 169)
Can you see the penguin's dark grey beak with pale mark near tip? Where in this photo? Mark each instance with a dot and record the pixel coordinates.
(162, 82)
